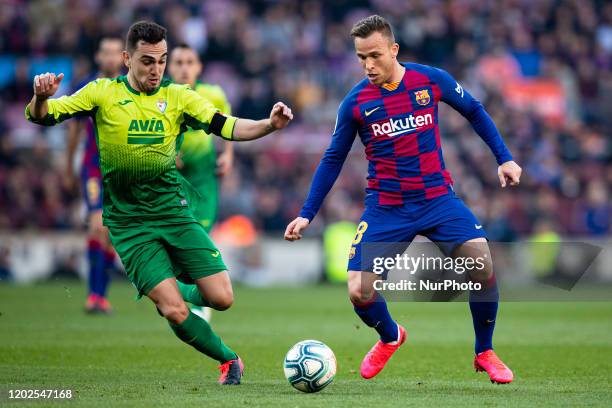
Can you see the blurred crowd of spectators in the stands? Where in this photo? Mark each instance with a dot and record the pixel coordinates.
(542, 68)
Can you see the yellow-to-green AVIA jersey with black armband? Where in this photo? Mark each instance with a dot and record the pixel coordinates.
(137, 135)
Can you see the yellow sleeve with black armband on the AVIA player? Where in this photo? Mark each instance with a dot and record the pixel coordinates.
(199, 113)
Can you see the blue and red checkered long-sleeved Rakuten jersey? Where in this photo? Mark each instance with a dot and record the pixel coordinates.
(398, 127)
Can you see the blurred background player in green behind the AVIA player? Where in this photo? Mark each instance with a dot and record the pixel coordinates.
(197, 160)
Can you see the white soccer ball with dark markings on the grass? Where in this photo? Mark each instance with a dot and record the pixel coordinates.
(310, 366)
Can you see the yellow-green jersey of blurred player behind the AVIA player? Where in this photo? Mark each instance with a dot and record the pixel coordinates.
(198, 152)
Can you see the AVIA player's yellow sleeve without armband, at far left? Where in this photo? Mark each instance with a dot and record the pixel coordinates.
(83, 102)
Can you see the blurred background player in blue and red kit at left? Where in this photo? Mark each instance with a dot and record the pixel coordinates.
(100, 253)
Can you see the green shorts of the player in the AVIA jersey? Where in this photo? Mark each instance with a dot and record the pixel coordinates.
(152, 253)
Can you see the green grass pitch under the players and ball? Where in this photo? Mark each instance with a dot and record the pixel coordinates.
(561, 353)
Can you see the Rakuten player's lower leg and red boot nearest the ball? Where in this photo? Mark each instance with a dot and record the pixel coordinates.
(372, 309)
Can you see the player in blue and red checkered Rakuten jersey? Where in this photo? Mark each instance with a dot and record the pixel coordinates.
(395, 112)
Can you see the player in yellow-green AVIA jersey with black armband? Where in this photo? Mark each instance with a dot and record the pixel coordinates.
(137, 119)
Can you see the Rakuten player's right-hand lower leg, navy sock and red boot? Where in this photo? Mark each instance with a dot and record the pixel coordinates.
(484, 306)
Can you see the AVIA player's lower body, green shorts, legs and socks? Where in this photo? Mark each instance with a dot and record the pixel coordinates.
(153, 255)
